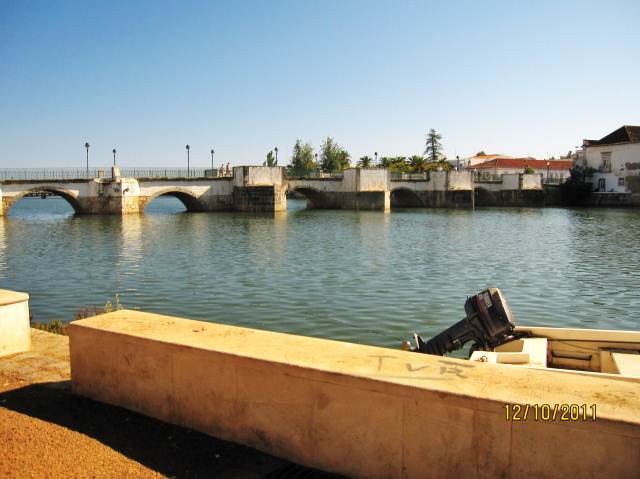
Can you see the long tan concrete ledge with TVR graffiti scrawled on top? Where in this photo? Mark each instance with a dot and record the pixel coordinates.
(359, 410)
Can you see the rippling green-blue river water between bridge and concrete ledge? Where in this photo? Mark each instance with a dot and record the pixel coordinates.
(361, 276)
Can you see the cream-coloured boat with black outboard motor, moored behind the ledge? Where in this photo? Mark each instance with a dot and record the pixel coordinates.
(490, 326)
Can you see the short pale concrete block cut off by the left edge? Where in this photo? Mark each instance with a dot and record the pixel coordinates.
(15, 333)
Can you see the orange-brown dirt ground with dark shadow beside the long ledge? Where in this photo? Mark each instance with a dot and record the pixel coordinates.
(45, 431)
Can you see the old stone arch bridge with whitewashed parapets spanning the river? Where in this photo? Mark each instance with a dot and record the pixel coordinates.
(264, 189)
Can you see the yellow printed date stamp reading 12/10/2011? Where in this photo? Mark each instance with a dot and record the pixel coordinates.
(550, 412)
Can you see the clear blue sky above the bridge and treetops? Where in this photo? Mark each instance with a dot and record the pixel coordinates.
(146, 78)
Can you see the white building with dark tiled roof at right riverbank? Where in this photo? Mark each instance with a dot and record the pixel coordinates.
(615, 159)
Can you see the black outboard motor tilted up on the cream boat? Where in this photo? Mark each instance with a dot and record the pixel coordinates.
(488, 324)
